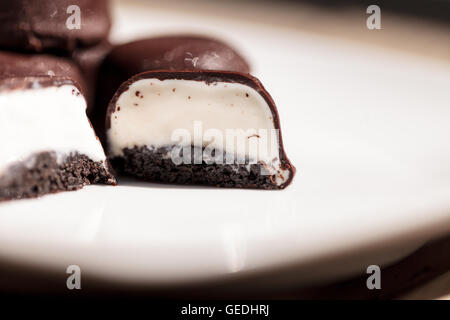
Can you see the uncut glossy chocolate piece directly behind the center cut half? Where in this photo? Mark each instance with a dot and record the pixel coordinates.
(185, 52)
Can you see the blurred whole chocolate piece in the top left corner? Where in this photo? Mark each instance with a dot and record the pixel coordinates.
(49, 25)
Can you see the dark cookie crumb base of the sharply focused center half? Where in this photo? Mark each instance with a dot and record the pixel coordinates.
(154, 166)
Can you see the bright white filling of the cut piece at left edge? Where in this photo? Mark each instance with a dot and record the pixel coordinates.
(45, 119)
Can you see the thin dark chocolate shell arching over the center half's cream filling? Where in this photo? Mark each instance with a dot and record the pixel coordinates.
(210, 77)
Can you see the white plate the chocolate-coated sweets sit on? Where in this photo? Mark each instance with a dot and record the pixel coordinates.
(367, 130)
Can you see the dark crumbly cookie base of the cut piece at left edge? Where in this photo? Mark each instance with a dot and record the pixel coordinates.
(45, 176)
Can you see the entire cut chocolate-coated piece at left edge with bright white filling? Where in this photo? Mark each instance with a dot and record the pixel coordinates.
(47, 143)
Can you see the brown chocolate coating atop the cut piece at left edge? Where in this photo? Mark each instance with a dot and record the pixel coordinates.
(19, 71)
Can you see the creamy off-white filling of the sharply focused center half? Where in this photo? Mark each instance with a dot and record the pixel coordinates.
(157, 113)
